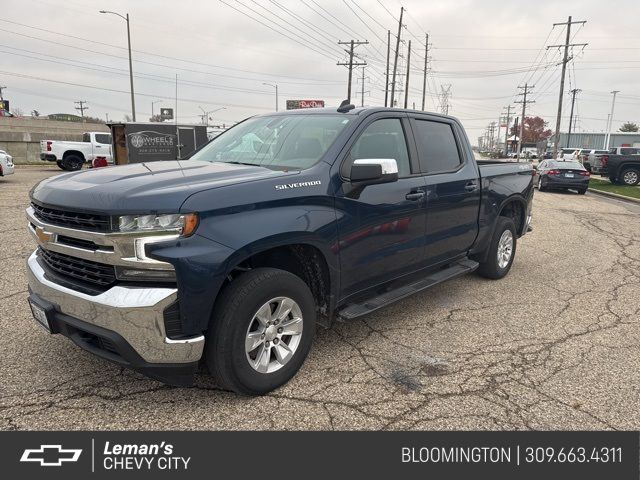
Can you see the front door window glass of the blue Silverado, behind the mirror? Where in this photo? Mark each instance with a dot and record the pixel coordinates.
(383, 139)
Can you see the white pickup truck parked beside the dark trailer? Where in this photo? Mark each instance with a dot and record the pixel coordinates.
(72, 155)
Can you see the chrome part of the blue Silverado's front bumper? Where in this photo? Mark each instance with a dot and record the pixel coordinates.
(135, 313)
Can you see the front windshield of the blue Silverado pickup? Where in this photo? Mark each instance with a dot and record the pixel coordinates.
(292, 142)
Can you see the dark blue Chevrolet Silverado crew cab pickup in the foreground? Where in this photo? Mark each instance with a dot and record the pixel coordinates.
(284, 222)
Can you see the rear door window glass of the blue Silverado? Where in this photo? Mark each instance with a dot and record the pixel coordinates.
(437, 146)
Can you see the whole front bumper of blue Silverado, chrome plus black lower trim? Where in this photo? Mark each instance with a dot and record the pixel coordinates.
(131, 315)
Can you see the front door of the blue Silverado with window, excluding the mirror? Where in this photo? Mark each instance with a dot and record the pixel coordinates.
(380, 227)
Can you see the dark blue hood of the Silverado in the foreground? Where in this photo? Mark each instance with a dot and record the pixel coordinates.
(161, 186)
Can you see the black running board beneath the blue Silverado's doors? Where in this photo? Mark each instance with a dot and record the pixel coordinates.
(355, 310)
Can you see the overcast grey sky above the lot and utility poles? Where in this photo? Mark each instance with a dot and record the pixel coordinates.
(231, 54)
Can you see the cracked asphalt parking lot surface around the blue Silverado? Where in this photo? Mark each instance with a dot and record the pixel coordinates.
(554, 345)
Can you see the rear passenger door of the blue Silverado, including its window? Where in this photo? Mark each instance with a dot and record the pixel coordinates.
(453, 187)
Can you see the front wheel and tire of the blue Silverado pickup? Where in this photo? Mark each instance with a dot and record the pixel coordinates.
(261, 331)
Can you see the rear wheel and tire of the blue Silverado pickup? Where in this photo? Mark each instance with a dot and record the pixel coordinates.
(502, 250)
